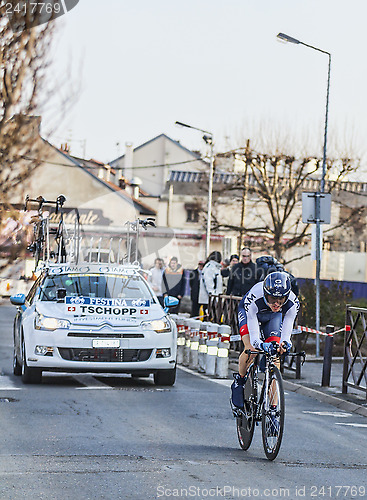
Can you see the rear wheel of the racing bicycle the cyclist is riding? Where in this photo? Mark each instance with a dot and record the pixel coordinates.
(246, 421)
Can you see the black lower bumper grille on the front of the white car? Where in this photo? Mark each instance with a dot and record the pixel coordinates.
(105, 355)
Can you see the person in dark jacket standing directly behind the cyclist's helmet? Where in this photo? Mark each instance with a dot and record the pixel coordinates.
(244, 275)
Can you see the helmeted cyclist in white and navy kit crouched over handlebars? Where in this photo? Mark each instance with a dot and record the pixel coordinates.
(265, 314)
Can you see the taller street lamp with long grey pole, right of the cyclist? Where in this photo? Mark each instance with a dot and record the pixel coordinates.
(287, 38)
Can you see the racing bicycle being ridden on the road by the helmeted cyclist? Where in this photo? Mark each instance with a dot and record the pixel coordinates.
(263, 403)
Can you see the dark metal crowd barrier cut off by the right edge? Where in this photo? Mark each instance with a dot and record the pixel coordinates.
(355, 350)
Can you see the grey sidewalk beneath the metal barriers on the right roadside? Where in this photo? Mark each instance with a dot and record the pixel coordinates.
(310, 385)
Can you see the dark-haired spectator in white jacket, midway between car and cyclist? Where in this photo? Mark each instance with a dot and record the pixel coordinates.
(211, 279)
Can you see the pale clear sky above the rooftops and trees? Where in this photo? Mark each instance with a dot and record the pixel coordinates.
(134, 67)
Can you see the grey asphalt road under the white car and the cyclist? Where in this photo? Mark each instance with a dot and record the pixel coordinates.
(114, 437)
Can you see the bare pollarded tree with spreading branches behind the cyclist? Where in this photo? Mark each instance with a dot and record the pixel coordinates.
(268, 193)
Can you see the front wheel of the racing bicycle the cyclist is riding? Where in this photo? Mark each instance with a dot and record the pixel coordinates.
(272, 418)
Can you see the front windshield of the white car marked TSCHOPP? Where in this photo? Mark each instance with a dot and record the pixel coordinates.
(95, 285)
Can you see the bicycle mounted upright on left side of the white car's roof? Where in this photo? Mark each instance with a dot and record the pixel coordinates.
(40, 247)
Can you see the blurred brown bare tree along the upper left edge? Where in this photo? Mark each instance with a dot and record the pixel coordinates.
(24, 48)
